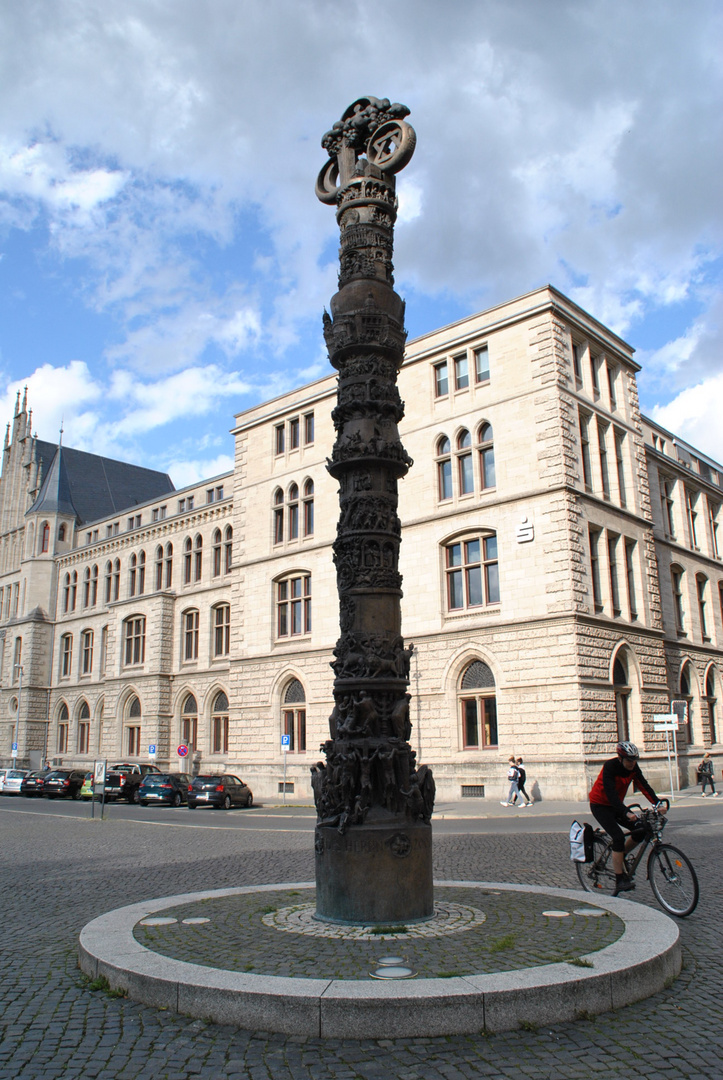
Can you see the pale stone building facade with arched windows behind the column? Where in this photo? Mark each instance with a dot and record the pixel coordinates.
(561, 561)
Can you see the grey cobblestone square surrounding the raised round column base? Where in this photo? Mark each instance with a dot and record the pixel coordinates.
(57, 874)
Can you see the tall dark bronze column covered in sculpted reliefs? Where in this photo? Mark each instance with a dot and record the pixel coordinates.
(373, 839)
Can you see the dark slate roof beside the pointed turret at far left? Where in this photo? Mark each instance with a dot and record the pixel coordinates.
(91, 488)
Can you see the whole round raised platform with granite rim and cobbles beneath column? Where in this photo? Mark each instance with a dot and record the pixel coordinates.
(496, 957)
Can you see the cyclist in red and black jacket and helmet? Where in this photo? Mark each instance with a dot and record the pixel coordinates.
(607, 805)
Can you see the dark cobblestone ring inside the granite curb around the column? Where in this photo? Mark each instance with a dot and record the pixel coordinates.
(515, 935)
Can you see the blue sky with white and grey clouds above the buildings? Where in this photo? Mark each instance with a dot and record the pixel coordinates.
(164, 260)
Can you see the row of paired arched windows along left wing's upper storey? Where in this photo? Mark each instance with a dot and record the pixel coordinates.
(222, 557)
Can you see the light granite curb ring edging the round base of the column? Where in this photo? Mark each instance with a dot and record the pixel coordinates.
(641, 963)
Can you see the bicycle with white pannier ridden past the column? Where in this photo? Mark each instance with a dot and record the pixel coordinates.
(672, 875)
